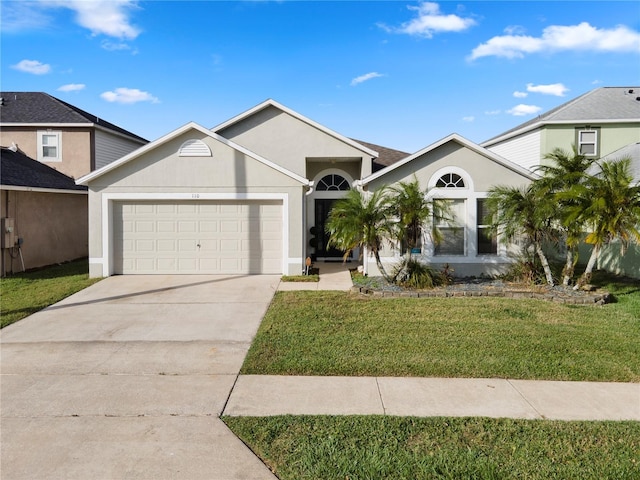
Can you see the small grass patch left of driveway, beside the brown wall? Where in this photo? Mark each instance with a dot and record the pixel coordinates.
(26, 293)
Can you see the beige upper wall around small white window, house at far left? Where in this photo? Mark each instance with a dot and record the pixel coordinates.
(76, 147)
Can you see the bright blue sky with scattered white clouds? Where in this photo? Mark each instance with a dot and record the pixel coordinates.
(400, 74)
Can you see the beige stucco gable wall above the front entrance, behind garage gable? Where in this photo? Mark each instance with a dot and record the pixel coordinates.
(278, 136)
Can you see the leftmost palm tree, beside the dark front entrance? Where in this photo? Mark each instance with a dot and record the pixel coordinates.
(362, 219)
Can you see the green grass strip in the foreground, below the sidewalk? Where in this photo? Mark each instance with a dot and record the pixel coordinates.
(398, 448)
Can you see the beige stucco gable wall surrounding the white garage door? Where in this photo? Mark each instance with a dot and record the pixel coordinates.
(161, 171)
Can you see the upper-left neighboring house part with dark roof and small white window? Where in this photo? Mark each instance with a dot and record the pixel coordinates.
(61, 135)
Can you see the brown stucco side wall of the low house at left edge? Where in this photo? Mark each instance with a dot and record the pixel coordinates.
(53, 226)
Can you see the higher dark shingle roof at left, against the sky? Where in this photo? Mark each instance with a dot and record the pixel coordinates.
(42, 108)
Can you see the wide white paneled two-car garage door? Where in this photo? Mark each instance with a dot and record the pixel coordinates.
(207, 237)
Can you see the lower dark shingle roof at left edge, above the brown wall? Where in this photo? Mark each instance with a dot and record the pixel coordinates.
(18, 170)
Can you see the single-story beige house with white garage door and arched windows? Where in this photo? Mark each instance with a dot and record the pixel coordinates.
(252, 196)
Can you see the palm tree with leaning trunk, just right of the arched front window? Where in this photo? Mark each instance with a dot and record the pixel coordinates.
(522, 212)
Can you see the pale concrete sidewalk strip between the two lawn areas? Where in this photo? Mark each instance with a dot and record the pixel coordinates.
(265, 395)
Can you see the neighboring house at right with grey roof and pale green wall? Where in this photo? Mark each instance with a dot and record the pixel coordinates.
(598, 123)
